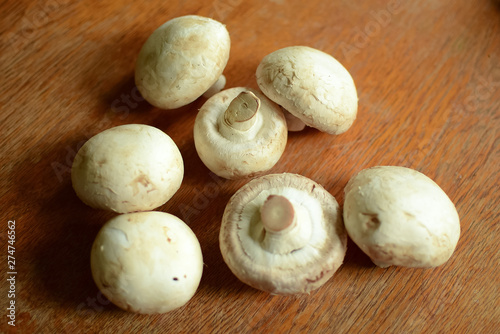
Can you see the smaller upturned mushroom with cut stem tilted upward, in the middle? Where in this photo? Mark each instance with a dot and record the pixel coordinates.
(239, 133)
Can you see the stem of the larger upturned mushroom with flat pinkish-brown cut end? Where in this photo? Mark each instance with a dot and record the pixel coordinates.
(284, 232)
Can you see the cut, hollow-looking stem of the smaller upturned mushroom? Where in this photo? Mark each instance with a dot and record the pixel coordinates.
(240, 114)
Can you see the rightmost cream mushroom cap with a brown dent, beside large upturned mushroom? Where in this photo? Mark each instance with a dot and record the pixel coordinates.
(399, 216)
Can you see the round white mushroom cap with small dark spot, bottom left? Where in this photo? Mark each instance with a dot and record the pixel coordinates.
(147, 262)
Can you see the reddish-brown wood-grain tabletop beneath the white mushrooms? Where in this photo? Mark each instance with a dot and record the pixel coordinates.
(428, 78)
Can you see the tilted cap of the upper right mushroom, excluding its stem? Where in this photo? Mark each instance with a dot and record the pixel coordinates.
(312, 85)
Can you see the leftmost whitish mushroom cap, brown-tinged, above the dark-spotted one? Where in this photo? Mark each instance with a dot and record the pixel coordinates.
(127, 168)
